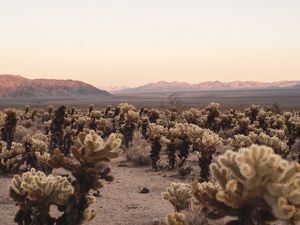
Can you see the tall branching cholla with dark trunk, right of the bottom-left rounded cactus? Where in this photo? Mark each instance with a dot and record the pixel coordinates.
(88, 167)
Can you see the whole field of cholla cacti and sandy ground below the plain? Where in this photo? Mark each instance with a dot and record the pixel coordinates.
(124, 165)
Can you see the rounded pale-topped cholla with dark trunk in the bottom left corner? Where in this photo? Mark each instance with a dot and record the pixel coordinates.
(35, 192)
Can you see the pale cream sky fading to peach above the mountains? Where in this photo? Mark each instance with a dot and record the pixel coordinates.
(133, 42)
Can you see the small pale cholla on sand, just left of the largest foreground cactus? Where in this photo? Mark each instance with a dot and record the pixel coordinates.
(179, 195)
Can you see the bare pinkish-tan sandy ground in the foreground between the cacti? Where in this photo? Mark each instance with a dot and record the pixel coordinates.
(122, 204)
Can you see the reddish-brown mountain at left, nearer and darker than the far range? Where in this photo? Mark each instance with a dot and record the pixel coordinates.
(16, 86)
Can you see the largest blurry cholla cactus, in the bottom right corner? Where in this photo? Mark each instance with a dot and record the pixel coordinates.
(254, 185)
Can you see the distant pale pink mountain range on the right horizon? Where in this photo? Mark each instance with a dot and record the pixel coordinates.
(163, 86)
